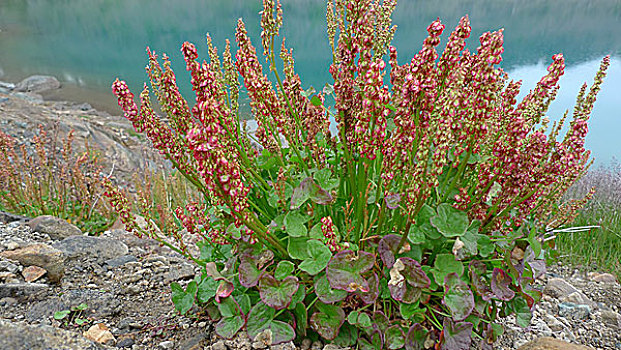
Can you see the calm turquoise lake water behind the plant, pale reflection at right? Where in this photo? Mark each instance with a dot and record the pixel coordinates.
(87, 44)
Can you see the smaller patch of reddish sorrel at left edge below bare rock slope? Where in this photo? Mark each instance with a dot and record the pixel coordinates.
(53, 178)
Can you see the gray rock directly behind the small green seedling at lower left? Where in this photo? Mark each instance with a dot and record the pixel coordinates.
(100, 304)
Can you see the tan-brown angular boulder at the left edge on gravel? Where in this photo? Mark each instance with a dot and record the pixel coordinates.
(42, 255)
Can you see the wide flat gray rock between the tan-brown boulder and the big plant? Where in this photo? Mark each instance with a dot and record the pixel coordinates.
(101, 249)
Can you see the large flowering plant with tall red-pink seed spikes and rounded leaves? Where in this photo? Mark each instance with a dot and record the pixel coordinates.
(420, 221)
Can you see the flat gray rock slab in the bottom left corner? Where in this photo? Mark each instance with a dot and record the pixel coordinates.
(20, 336)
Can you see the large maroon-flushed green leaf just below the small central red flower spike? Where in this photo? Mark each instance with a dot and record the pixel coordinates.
(345, 270)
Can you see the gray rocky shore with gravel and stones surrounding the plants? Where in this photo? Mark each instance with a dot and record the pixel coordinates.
(48, 265)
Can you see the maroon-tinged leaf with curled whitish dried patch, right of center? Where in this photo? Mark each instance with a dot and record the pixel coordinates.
(407, 279)
